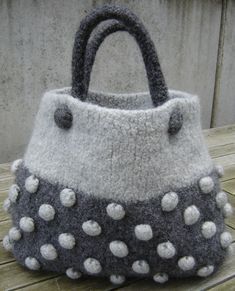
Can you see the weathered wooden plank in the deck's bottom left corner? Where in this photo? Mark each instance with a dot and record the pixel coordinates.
(14, 276)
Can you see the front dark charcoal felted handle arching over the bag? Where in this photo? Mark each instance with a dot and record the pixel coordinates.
(157, 85)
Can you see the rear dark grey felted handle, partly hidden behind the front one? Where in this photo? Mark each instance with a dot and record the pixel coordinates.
(93, 45)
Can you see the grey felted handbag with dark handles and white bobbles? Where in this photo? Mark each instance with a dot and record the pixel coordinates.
(118, 185)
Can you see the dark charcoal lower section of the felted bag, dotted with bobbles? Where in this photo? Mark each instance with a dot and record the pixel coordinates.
(93, 254)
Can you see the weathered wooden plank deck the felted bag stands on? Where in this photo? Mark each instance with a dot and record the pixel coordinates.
(221, 143)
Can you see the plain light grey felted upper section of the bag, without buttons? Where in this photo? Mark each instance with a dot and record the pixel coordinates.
(129, 149)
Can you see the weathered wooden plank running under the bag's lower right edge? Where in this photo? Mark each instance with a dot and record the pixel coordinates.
(225, 272)
